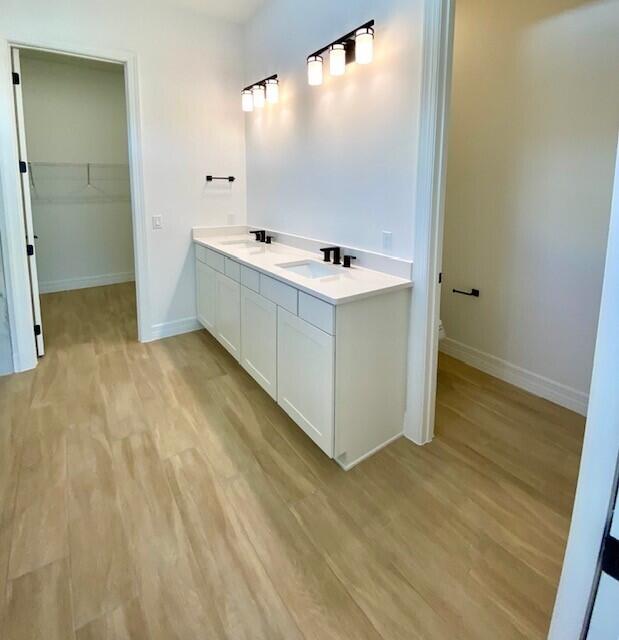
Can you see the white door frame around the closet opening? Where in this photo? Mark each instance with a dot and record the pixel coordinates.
(12, 230)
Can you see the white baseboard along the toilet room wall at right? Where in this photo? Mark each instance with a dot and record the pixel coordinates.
(532, 382)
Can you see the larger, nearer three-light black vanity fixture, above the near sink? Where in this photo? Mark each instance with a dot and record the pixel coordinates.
(355, 46)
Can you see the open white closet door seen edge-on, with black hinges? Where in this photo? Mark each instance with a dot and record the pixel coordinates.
(24, 168)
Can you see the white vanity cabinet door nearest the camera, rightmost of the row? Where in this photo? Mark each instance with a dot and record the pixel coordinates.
(305, 377)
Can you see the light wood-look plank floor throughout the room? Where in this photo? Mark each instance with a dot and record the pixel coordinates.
(154, 491)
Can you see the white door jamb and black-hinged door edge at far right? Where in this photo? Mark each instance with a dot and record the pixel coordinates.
(588, 596)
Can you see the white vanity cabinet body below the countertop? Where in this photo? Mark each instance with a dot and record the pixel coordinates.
(338, 371)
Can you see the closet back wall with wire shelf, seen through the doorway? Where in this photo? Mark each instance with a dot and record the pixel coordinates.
(75, 112)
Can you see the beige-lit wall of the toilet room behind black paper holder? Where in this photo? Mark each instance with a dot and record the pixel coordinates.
(535, 113)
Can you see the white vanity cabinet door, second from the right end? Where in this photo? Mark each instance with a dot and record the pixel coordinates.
(259, 339)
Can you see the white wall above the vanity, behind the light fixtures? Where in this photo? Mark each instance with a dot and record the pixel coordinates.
(336, 162)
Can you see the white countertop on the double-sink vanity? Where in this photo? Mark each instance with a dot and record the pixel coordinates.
(345, 285)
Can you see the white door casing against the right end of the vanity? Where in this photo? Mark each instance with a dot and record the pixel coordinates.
(428, 221)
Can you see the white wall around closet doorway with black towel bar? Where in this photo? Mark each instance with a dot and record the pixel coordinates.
(189, 73)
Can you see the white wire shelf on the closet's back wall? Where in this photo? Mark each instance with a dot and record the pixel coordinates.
(78, 183)
